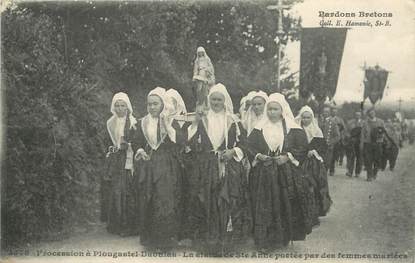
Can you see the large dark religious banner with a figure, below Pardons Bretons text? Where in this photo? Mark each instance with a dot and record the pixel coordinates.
(321, 55)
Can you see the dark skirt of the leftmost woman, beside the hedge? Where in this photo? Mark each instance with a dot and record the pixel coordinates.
(122, 206)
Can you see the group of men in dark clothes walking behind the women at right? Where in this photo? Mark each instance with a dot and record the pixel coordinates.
(368, 142)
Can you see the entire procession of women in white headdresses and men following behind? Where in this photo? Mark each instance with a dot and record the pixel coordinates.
(216, 179)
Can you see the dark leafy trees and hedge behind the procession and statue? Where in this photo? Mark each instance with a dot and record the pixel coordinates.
(63, 61)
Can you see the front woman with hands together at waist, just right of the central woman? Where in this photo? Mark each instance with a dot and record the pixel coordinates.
(276, 147)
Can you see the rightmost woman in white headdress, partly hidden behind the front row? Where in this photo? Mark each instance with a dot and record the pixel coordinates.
(314, 166)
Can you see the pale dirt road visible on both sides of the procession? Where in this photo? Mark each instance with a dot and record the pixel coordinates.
(366, 218)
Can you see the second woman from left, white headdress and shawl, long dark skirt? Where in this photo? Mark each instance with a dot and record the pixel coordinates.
(159, 173)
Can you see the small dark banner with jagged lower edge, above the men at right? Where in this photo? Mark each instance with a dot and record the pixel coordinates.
(375, 82)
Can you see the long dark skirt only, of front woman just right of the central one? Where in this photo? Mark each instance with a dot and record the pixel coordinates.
(281, 207)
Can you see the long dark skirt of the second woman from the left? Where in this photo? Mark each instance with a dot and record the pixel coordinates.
(160, 186)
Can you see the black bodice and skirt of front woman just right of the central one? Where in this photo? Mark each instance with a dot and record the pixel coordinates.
(279, 192)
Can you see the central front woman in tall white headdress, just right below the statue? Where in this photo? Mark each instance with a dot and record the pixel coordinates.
(218, 185)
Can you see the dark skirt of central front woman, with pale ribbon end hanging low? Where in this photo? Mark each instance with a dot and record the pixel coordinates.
(219, 206)
